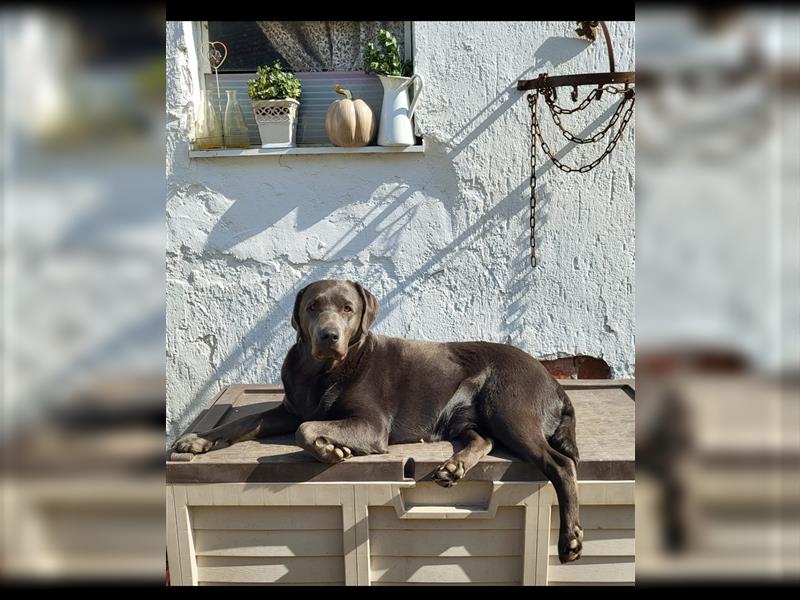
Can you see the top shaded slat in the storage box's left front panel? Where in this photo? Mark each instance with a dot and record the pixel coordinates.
(267, 517)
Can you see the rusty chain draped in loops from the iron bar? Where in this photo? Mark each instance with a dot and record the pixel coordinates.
(628, 99)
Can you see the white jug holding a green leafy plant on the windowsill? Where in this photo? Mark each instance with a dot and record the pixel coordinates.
(384, 60)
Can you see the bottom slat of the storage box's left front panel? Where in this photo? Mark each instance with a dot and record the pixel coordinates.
(282, 570)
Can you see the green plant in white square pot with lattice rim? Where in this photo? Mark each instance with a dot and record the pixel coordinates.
(273, 94)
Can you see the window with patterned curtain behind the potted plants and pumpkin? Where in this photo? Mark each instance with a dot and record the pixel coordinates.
(320, 53)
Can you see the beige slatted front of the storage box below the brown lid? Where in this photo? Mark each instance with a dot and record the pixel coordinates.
(227, 524)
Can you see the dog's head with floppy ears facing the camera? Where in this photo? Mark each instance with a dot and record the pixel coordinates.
(333, 315)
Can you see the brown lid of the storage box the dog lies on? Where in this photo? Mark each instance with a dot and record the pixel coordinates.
(605, 431)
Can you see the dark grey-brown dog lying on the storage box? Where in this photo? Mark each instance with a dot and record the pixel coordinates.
(350, 391)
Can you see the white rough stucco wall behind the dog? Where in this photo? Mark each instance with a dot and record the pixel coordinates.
(441, 238)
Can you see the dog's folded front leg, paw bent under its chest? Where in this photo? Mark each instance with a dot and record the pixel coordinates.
(334, 441)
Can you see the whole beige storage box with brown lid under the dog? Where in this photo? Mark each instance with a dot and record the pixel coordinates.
(265, 512)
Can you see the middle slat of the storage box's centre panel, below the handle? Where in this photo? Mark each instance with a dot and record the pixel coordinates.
(446, 543)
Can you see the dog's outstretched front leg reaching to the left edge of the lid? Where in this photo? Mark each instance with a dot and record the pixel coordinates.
(275, 421)
